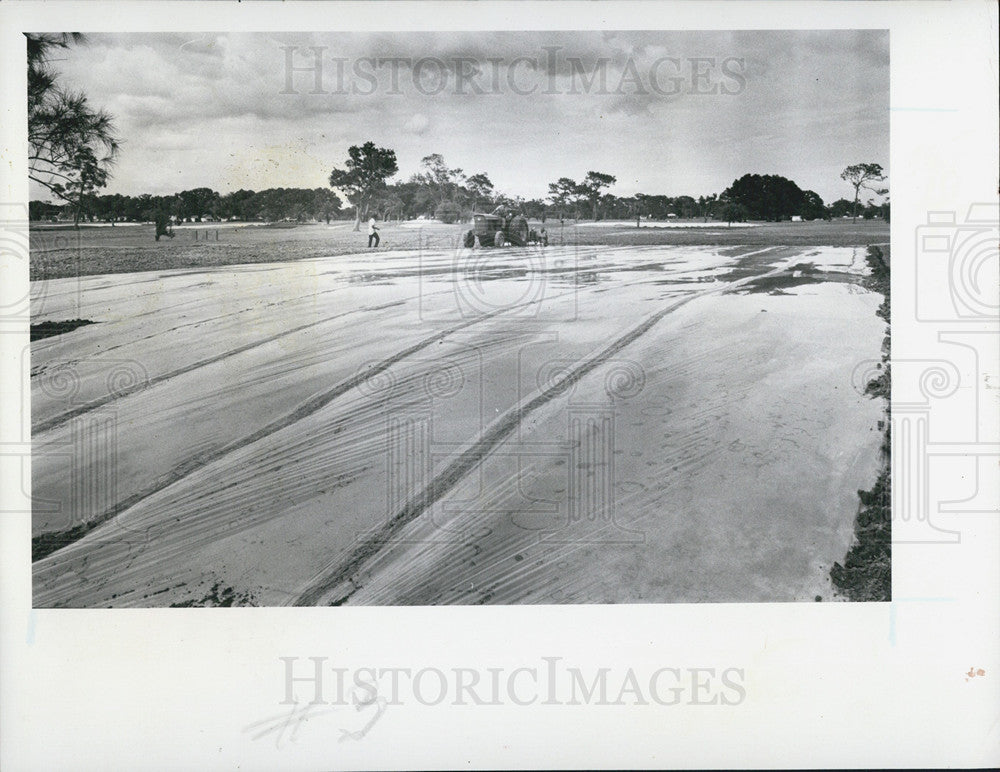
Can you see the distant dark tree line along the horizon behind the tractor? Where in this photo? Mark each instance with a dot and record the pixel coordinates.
(450, 198)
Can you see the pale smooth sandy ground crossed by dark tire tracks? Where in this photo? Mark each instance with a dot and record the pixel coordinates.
(575, 424)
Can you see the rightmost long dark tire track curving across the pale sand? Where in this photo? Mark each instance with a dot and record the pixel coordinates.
(471, 457)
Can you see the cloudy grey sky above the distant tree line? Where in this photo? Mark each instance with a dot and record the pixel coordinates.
(672, 113)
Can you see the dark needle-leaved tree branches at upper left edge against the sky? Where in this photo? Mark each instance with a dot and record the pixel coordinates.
(71, 147)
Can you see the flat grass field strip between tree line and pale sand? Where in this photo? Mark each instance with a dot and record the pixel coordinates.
(62, 251)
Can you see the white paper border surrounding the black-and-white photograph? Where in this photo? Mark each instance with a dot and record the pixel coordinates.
(831, 684)
